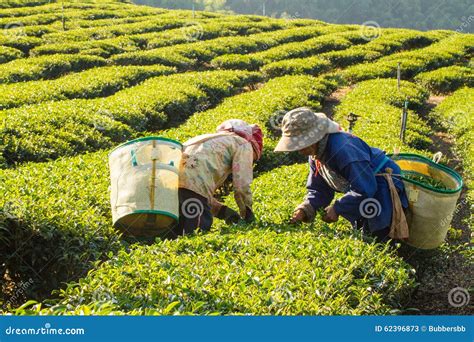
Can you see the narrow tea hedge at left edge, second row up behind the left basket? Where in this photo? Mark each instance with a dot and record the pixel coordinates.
(97, 82)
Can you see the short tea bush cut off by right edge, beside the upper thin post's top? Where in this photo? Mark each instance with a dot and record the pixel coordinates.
(447, 79)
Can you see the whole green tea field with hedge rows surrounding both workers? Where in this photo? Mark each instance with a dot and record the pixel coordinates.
(77, 80)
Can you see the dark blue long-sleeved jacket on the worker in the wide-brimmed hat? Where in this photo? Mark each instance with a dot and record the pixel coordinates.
(354, 160)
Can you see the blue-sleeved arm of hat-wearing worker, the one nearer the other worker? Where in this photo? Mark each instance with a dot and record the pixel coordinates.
(319, 195)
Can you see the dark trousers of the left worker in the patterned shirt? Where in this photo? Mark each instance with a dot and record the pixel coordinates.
(194, 212)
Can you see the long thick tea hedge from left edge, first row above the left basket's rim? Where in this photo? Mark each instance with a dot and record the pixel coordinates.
(53, 129)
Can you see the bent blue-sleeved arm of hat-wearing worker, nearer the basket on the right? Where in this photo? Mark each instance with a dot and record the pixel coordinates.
(363, 185)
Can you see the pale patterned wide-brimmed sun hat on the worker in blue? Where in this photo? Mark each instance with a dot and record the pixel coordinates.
(301, 127)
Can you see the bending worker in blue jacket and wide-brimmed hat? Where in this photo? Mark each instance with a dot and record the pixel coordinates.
(374, 196)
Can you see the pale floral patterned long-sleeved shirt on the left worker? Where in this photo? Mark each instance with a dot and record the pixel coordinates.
(205, 166)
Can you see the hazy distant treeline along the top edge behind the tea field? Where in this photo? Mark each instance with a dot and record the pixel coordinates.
(418, 14)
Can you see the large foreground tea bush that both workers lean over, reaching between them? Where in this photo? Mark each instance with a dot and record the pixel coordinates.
(267, 268)
